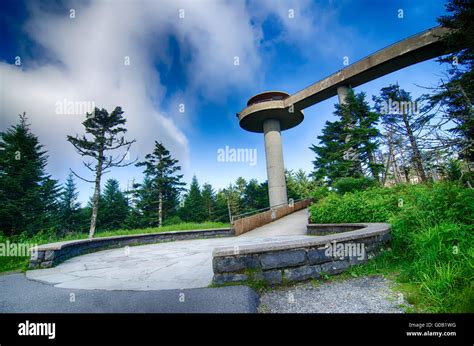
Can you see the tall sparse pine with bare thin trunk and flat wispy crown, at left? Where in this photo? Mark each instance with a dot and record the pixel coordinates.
(105, 135)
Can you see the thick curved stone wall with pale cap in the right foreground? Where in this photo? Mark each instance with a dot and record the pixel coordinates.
(297, 260)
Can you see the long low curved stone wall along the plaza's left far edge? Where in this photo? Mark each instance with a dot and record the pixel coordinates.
(49, 255)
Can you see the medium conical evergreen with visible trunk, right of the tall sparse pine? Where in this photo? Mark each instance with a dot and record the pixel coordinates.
(164, 181)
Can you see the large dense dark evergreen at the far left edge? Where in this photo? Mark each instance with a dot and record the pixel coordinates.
(27, 194)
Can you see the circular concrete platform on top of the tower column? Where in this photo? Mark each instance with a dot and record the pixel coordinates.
(269, 105)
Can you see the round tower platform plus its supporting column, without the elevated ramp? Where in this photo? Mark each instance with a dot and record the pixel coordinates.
(266, 113)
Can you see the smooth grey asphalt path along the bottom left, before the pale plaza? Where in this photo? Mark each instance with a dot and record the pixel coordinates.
(20, 295)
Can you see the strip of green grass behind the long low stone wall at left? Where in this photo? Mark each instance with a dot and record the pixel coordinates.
(10, 264)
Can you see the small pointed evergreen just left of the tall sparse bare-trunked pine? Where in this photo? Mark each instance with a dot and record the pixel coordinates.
(69, 207)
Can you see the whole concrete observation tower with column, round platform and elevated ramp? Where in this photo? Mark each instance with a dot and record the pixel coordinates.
(274, 111)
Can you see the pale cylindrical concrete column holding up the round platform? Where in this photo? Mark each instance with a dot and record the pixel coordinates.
(275, 167)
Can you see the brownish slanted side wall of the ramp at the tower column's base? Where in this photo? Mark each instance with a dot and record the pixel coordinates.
(248, 223)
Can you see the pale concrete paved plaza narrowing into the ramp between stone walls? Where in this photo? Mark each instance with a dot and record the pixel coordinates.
(175, 265)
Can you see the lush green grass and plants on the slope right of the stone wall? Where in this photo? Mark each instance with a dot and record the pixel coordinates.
(432, 257)
